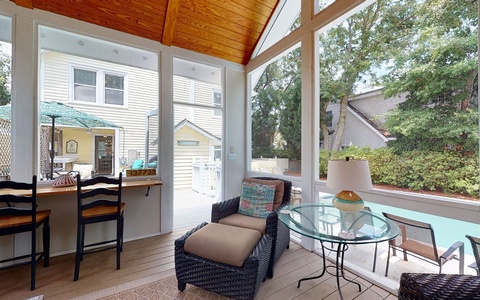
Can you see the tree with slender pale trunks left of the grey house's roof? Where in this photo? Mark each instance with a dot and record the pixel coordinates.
(355, 48)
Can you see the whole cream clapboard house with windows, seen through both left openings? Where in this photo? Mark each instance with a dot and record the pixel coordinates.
(82, 83)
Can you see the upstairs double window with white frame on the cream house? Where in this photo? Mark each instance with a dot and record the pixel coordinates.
(98, 86)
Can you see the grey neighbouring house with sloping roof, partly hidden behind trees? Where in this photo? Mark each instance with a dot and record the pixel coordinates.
(365, 119)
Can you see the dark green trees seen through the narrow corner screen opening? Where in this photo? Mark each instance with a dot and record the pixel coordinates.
(276, 109)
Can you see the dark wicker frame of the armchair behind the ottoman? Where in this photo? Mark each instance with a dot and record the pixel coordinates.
(279, 231)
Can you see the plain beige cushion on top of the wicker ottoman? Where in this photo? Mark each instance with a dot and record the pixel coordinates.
(222, 243)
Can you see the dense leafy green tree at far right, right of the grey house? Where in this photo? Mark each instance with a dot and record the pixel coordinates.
(438, 72)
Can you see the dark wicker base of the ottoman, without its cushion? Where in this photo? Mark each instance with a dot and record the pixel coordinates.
(230, 281)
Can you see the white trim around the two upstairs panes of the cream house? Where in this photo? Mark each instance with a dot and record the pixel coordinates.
(100, 91)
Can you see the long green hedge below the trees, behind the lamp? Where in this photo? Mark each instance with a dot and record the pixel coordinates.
(444, 172)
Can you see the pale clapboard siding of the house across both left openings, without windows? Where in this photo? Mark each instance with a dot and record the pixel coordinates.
(142, 96)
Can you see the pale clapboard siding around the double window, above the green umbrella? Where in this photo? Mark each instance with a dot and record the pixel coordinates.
(141, 88)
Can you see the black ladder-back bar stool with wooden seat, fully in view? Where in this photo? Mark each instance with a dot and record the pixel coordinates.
(98, 205)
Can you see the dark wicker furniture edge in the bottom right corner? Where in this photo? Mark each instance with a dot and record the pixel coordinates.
(421, 286)
